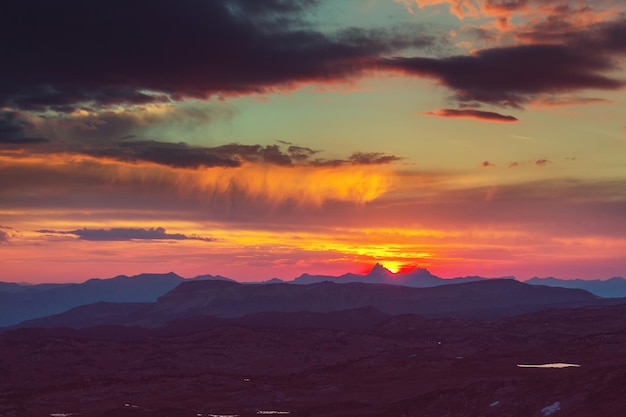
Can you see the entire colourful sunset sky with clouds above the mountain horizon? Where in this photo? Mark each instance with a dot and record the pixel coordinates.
(259, 139)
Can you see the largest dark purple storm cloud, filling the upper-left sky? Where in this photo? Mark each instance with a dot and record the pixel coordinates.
(57, 55)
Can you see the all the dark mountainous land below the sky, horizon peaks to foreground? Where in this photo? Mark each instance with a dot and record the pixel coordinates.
(348, 346)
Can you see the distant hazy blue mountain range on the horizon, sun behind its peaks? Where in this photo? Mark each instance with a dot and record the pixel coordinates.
(20, 302)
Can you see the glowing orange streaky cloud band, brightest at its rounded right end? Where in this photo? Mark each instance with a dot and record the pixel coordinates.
(273, 184)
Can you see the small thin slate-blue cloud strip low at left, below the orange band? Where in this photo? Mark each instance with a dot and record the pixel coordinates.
(126, 234)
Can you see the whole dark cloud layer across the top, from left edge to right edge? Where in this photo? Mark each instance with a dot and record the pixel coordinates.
(65, 56)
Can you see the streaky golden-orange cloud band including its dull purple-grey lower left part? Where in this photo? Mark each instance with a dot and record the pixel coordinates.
(246, 190)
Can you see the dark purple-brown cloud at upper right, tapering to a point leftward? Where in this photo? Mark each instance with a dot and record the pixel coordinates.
(514, 75)
